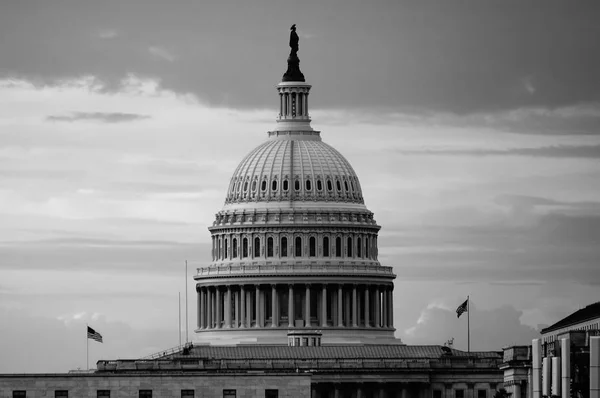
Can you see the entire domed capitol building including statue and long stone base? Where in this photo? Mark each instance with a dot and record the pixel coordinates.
(294, 302)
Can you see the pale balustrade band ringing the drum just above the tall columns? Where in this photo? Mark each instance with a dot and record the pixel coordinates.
(295, 268)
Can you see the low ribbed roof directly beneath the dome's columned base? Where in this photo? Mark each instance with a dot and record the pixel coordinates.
(333, 352)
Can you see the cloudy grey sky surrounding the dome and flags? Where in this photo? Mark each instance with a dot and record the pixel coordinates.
(474, 128)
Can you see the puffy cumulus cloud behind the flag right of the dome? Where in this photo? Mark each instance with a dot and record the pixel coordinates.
(490, 329)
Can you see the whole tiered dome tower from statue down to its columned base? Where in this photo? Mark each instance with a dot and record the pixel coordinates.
(294, 247)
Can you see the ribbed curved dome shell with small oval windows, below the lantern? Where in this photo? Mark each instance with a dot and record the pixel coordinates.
(294, 167)
